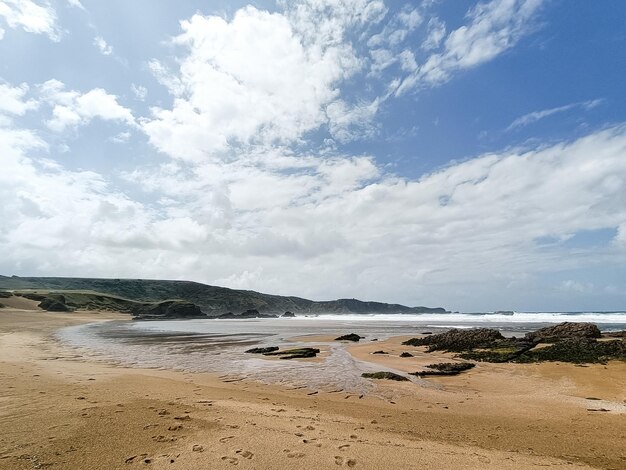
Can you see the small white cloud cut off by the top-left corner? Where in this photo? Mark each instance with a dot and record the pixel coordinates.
(31, 17)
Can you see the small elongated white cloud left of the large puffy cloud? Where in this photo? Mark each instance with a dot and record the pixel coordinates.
(71, 108)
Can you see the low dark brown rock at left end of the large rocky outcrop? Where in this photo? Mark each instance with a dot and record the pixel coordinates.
(458, 340)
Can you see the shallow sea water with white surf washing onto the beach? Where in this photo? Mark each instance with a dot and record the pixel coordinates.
(218, 346)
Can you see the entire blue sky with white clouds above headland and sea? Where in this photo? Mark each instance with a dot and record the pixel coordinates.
(470, 155)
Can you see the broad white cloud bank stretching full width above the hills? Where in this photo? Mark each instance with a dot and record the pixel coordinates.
(322, 226)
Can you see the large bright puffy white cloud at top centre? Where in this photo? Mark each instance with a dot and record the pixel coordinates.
(262, 78)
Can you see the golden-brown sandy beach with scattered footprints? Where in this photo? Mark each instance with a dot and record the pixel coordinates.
(60, 410)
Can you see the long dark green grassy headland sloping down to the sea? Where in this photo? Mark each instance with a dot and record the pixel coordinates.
(212, 300)
